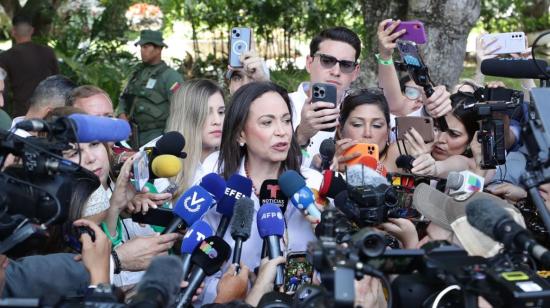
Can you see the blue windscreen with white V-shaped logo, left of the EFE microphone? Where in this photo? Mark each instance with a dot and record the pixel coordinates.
(193, 204)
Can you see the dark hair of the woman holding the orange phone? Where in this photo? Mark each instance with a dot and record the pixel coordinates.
(369, 96)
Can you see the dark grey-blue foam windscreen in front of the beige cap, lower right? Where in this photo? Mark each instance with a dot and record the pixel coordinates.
(484, 214)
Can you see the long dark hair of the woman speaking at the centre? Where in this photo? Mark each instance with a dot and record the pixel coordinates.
(231, 153)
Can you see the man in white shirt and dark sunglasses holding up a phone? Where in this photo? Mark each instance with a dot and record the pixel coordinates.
(333, 60)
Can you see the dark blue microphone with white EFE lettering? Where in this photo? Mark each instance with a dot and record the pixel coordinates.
(238, 187)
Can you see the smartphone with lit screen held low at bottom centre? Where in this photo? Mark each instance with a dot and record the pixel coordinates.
(298, 271)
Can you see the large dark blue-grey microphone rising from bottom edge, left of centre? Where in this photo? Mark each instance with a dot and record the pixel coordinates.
(159, 284)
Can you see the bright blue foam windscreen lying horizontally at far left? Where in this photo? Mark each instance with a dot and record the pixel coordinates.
(94, 128)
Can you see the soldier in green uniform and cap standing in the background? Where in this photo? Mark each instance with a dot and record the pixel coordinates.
(146, 100)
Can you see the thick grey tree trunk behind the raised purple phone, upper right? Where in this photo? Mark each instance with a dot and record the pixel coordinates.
(447, 24)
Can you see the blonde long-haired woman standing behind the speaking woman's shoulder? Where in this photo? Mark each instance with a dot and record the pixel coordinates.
(197, 111)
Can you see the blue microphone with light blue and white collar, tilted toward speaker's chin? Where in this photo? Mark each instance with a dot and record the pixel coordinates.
(294, 187)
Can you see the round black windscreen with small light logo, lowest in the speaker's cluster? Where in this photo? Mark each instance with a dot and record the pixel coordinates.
(210, 254)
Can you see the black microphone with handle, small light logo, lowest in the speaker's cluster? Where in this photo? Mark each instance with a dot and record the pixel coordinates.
(208, 257)
